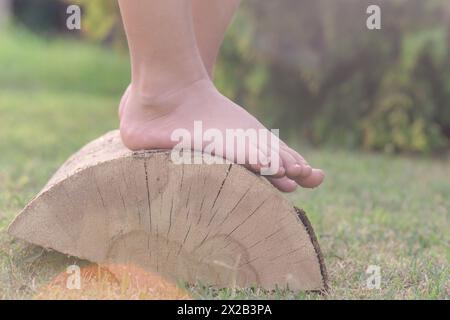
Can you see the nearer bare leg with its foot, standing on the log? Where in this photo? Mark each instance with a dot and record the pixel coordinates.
(171, 89)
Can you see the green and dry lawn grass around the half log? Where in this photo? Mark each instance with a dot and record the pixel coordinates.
(392, 212)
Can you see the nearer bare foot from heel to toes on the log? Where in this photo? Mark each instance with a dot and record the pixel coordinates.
(148, 123)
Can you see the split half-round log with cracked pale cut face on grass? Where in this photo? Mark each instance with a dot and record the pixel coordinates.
(219, 225)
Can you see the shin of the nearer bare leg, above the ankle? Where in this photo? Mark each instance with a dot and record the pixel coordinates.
(162, 43)
